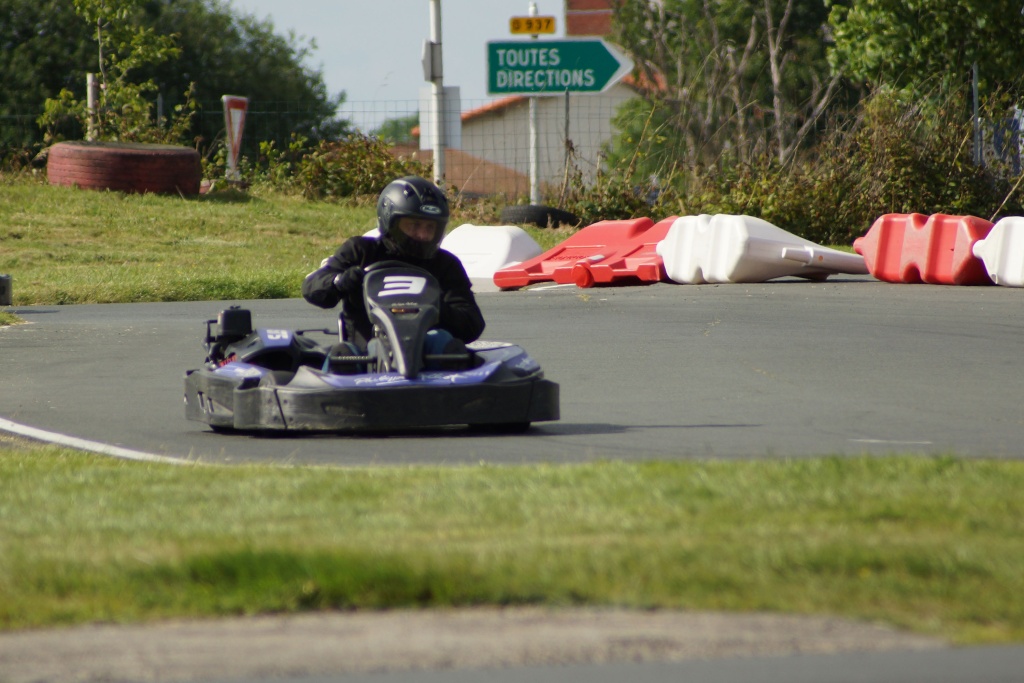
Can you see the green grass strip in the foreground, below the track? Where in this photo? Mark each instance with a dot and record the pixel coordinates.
(931, 544)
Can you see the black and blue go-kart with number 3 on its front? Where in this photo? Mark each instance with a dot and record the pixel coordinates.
(272, 379)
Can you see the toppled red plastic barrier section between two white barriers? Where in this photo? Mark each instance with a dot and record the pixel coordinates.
(604, 252)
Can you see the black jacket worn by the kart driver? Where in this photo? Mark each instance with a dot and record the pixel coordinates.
(459, 313)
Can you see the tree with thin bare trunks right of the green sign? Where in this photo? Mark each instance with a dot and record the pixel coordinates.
(729, 79)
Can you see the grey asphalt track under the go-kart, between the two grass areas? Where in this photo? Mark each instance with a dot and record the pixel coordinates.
(783, 369)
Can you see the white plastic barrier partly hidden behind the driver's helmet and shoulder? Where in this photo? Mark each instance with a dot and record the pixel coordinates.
(486, 249)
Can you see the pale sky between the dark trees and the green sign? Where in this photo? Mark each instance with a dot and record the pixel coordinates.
(372, 50)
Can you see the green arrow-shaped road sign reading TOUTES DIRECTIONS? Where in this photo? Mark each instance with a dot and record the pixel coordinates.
(552, 67)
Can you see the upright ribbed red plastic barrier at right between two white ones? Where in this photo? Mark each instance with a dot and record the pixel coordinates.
(914, 248)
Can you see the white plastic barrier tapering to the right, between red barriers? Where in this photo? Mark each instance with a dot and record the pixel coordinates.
(744, 249)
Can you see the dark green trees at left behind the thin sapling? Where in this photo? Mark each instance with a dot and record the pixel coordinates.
(46, 47)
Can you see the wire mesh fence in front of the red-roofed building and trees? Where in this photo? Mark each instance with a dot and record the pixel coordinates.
(488, 151)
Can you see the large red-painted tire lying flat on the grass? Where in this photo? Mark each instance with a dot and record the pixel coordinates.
(127, 167)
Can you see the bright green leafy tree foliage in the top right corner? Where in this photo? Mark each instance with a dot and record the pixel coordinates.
(930, 45)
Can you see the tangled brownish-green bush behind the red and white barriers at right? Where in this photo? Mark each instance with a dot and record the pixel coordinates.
(897, 155)
